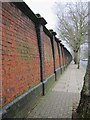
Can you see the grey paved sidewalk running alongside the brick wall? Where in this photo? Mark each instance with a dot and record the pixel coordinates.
(63, 97)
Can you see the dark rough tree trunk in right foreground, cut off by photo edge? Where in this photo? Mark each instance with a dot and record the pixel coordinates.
(84, 105)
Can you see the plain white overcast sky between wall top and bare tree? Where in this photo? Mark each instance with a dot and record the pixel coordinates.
(46, 8)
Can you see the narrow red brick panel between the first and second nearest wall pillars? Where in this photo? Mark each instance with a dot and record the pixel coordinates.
(48, 56)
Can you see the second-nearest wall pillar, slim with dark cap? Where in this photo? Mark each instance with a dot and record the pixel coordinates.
(53, 49)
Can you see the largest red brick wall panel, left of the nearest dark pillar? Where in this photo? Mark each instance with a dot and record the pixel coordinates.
(21, 62)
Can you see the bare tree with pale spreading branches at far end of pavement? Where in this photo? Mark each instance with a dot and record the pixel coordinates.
(72, 26)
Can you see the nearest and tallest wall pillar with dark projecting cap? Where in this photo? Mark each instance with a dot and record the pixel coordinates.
(41, 22)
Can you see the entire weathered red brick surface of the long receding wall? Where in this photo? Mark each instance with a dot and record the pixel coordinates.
(20, 53)
